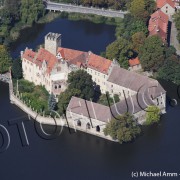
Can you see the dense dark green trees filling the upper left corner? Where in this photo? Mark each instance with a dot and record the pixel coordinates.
(16, 14)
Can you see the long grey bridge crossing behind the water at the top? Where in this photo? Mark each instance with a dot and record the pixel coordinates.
(82, 9)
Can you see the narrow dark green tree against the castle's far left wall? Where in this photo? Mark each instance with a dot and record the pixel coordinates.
(17, 68)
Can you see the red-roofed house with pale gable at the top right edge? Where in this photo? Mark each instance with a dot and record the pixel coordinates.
(167, 6)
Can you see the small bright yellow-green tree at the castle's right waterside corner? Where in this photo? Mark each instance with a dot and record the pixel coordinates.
(152, 115)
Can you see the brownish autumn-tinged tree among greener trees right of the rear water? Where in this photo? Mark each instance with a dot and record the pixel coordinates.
(138, 40)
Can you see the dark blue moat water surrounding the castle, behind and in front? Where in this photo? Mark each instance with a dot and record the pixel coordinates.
(78, 154)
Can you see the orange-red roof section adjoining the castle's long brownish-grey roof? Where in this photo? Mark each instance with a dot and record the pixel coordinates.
(98, 63)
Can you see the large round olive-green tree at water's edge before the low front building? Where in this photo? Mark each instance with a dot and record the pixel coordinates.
(124, 129)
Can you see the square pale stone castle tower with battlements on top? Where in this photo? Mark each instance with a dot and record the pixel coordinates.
(52, 42)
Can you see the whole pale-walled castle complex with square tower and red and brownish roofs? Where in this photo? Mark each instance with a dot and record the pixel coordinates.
(51, 65)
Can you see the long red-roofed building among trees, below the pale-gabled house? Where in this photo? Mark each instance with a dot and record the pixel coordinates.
(158, 25)
